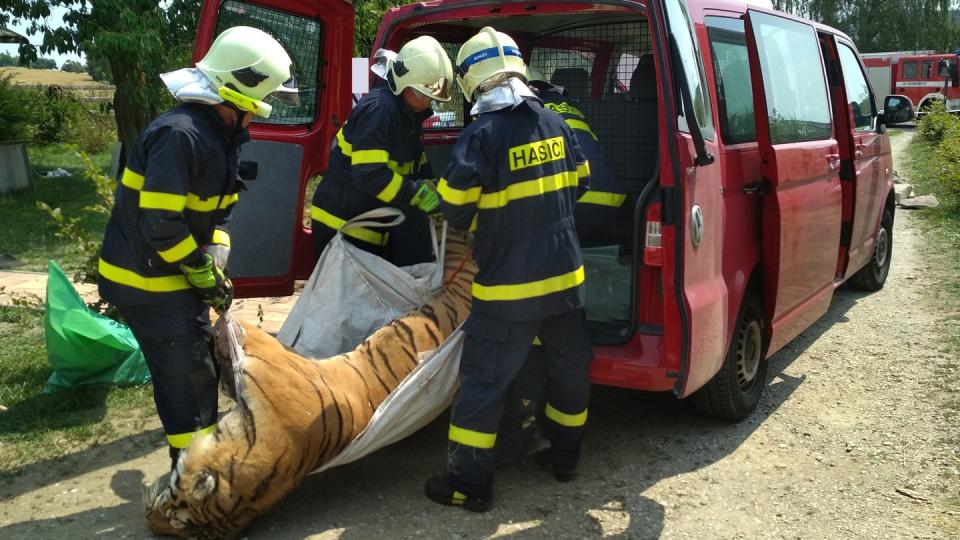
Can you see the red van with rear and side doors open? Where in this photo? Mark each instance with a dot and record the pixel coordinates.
(758, 168)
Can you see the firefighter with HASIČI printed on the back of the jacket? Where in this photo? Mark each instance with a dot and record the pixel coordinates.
(513, 179)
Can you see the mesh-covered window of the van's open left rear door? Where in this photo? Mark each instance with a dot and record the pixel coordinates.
(301, 37)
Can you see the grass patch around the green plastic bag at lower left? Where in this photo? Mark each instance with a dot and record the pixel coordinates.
(41, 426)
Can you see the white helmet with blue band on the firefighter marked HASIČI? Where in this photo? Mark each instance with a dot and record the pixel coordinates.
(488, 57)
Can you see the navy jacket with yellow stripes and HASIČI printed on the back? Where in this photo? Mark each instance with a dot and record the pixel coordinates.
(513, 178)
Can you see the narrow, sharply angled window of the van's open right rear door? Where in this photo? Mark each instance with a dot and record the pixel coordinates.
(682, 30)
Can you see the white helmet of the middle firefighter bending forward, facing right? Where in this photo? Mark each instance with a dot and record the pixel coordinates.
(423, 65)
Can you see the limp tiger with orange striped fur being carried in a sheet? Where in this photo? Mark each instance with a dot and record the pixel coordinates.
(296, 413)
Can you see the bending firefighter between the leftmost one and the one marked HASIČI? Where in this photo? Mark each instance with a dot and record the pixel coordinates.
(376, 159)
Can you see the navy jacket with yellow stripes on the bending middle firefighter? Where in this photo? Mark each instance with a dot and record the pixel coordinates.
(374, 160)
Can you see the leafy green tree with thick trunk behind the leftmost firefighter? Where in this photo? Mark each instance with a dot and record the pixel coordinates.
(134, 39)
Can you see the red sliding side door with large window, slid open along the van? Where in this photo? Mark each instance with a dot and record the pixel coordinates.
(802, 198)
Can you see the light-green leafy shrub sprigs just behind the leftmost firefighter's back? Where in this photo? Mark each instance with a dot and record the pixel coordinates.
(84, 243)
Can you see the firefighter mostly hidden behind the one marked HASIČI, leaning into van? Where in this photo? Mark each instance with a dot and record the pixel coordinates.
(603, 206)
